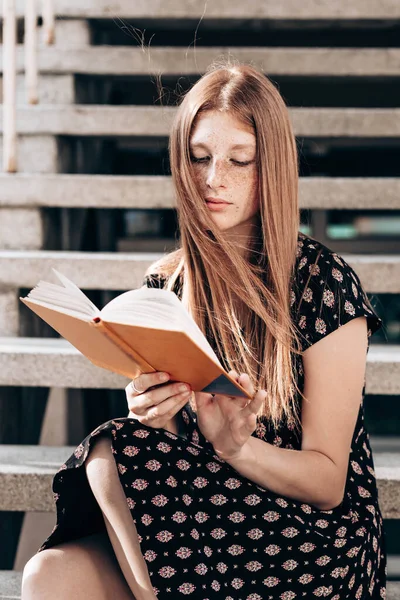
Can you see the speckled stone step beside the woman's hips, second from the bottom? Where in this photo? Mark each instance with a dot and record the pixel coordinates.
(26, 474)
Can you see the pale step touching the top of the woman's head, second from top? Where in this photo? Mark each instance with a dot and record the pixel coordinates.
(120, 60)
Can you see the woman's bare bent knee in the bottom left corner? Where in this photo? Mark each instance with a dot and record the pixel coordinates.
(85, 569)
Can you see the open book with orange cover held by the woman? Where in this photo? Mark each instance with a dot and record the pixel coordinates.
(139, 331)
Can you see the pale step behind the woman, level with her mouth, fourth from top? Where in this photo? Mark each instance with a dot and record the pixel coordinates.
(155, 192)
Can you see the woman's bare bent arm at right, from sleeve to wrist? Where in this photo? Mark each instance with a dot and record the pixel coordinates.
(334, 371)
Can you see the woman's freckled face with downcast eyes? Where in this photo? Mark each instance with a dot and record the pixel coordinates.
(223, 155)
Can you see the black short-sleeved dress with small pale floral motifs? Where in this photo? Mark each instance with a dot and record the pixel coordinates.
(205, 531)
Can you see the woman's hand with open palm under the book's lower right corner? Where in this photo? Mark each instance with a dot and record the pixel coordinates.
(227, 422)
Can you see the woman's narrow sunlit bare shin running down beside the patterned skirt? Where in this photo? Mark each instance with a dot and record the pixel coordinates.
(103, 478)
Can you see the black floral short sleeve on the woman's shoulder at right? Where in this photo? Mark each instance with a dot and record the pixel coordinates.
(331, 296)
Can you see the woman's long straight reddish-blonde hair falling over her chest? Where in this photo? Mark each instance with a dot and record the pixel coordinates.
(216, 279)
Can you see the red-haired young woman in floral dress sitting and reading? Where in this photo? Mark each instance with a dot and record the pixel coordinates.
(213, 497)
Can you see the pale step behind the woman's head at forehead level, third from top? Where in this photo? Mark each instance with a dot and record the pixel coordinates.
(115, 121)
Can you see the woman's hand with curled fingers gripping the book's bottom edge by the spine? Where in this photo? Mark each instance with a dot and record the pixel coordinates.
(159, 401)
